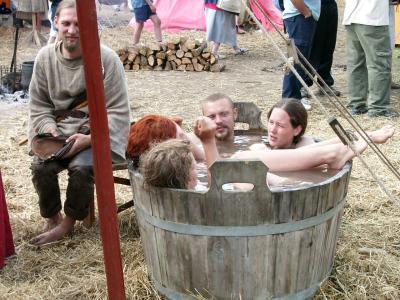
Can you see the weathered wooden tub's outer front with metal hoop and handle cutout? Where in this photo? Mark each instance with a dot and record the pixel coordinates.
(256, 244)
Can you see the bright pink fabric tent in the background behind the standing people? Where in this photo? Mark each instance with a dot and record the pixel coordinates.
(178, 15)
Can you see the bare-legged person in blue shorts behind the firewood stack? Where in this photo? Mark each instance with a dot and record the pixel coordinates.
(144, 10)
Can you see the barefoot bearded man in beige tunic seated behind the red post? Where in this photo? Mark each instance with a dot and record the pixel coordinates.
(57, 82)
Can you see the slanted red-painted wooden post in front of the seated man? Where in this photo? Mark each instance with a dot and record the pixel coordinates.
(102, 165)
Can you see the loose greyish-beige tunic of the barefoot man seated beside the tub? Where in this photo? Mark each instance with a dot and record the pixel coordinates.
(57, 81)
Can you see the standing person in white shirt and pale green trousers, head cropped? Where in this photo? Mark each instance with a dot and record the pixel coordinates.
(369, 57)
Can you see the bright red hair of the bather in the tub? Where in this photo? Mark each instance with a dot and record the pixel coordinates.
(147, 131)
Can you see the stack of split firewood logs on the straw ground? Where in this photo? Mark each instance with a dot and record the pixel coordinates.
(179, 54)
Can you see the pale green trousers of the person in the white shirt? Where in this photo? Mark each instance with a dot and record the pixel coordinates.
(369, 61)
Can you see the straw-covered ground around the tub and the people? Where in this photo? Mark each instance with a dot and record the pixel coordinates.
(73, 268)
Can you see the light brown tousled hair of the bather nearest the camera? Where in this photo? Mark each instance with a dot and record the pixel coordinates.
(167, 164)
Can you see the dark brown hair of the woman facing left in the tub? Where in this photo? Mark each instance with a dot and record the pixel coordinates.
(297, 114)
